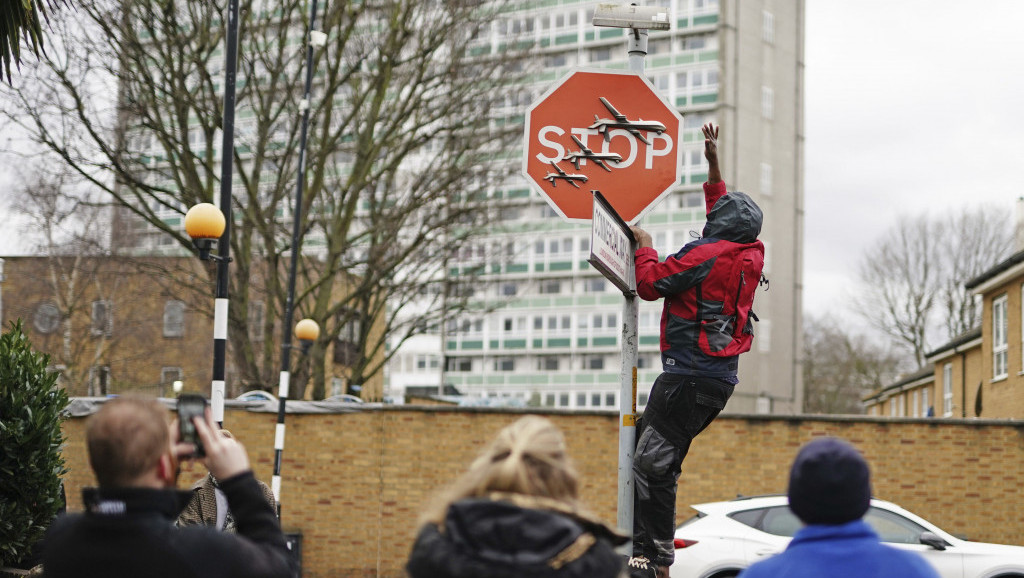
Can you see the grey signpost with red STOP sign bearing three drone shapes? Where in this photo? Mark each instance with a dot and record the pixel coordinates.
(610, 133)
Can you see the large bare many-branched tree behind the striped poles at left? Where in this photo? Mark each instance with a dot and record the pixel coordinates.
(405, 145)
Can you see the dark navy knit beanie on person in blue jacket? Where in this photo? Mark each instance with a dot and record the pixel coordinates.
(830, 483)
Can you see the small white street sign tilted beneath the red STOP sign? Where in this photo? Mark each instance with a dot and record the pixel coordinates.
(612, 245)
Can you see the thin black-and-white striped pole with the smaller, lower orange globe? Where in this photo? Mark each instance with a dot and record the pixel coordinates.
(307, 331)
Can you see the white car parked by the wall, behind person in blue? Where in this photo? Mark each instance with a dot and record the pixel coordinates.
(727, 538)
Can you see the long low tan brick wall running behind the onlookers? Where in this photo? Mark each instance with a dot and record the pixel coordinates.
(355, 484)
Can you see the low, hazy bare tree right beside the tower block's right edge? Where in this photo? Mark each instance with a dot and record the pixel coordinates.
(841, 367)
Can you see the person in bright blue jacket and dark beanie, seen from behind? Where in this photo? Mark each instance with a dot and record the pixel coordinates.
(830, 491)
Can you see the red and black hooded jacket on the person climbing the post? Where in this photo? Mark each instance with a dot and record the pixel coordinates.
(708, 288)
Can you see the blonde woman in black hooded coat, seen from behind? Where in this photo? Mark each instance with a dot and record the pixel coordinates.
(516, 513)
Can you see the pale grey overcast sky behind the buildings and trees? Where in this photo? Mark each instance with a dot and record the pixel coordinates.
(912, 106)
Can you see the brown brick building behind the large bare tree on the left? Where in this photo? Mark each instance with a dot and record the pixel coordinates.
(117, 324)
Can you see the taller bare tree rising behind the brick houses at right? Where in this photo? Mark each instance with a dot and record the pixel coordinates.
(913, 278)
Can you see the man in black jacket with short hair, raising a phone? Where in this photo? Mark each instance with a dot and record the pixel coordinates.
(129, 527)
